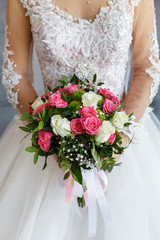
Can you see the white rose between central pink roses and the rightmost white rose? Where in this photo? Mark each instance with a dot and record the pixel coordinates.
(104, 132)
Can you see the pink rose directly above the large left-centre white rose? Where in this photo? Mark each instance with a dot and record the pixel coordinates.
(56, 101)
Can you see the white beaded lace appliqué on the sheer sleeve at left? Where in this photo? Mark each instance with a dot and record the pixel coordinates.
(10, 77)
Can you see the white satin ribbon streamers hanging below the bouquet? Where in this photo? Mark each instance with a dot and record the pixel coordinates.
(96, 182)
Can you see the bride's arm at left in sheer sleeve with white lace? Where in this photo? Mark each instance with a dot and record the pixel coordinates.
(17, 72)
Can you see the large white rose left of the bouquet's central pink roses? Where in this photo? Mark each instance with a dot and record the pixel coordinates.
(61, 126)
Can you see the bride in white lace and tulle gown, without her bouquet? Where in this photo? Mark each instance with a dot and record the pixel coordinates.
(82, 37)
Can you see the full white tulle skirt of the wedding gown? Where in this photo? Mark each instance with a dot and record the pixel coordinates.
(32, 201)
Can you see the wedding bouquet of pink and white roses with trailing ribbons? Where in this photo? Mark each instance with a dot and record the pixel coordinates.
(82, 123)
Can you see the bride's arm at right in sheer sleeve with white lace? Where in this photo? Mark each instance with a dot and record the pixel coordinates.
(145, 66)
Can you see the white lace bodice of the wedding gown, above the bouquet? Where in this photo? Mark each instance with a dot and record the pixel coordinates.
(64, 46)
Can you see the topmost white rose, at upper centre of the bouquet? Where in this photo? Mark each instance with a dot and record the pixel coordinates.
(90, 99)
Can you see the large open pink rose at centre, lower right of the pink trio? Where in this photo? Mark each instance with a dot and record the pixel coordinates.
(91, 125)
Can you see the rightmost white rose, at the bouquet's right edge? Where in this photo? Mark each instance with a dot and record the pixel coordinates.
(119, 119)
